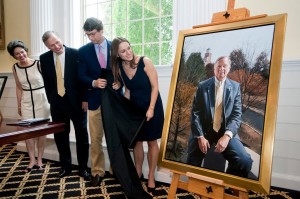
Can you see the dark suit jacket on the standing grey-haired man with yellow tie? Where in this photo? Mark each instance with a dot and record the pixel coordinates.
(74, 90)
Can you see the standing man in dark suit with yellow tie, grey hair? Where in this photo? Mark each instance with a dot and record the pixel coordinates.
(66, 101)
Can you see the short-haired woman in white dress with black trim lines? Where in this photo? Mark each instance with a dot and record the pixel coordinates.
(31, 97)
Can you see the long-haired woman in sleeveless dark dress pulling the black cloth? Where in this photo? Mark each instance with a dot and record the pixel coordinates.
(140, 80)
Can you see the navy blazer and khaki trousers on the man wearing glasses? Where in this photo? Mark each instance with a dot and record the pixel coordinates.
(88, 71)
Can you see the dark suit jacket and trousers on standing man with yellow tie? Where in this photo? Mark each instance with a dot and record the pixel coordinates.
(68, 107)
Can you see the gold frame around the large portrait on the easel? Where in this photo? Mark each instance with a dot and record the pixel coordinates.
(265, 169)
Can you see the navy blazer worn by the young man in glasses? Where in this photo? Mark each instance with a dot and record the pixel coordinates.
(89, 70)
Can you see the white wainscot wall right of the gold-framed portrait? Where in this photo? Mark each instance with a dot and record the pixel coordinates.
(286, 155)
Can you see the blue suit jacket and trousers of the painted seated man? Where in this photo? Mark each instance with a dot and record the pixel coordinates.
(240, 162)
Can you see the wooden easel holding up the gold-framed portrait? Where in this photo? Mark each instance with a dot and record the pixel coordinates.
(208, 187)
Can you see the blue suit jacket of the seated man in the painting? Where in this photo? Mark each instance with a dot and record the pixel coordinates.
(203, 107)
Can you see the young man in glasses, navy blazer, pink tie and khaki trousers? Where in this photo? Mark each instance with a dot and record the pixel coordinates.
(95, 74)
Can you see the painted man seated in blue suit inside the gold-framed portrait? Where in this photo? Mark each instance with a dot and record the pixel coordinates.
(207, 128)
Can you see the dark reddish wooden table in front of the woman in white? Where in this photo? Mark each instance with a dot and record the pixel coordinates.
(10, 134)
